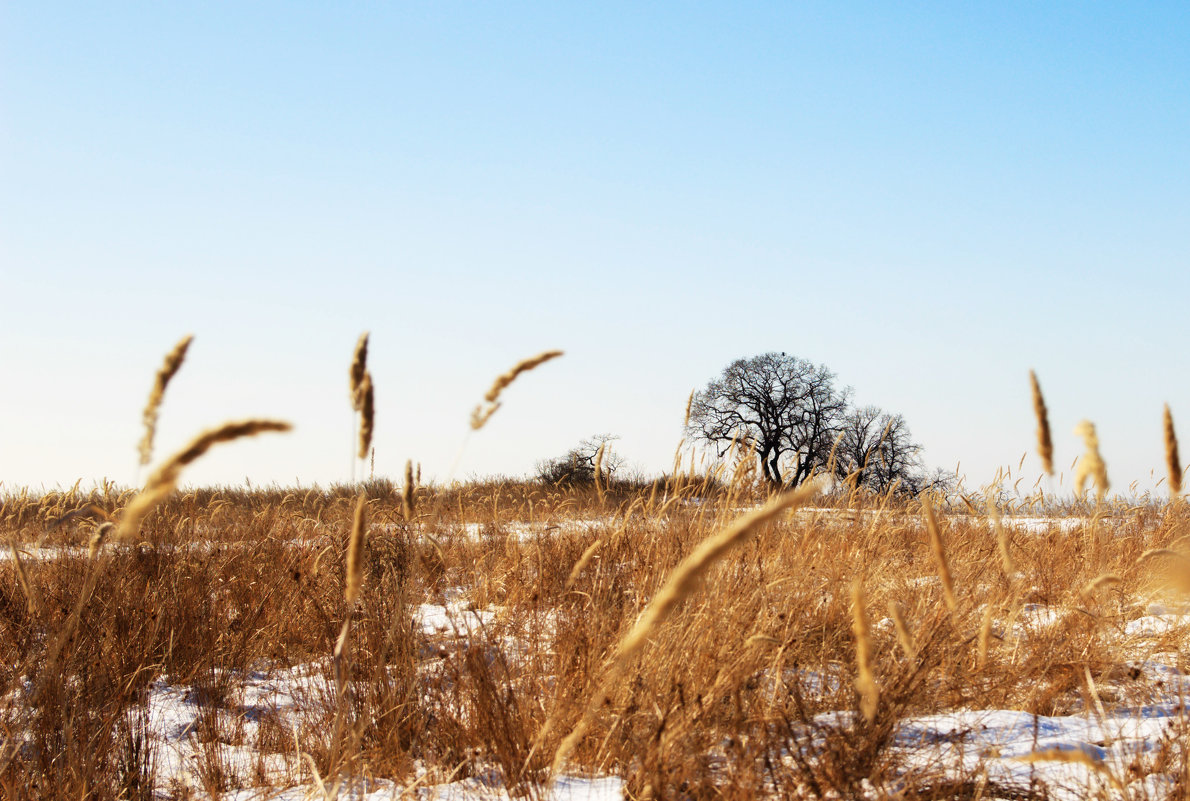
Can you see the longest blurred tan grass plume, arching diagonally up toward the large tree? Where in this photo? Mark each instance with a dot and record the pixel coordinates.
(682, 583)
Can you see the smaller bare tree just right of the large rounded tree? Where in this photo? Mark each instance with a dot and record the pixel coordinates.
(876, 452)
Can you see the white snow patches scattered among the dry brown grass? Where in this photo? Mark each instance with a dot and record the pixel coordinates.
(1117, 744)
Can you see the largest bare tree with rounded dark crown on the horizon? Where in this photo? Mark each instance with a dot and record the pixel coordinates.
(788, 410)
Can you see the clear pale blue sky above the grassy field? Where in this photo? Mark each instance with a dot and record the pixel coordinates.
(929, 198)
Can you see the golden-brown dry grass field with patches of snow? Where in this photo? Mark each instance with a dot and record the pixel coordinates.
(840, 650)
